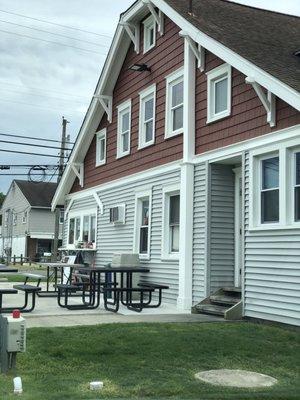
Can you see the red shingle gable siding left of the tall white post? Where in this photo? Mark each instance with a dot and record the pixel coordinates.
(166, 57)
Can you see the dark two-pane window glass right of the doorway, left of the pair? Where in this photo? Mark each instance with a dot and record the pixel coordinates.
(270, 190)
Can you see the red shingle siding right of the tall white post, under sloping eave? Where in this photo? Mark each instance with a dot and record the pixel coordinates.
(248, 118)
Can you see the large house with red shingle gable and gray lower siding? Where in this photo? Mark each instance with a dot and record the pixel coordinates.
(190, 154)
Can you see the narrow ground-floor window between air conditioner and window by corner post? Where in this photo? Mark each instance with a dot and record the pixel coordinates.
(143, 224)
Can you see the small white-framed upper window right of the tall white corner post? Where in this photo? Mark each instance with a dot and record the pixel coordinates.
(218, 93)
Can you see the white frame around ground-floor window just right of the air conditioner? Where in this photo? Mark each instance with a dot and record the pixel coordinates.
(139, 197)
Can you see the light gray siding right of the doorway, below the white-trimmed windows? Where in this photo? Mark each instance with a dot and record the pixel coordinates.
(272, 270)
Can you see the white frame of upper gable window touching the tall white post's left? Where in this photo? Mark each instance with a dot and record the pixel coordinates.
(172, 80)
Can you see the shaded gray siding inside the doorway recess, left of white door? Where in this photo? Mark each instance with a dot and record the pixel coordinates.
(221, 226)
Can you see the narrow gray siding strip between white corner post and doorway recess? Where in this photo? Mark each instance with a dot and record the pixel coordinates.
(200, 232)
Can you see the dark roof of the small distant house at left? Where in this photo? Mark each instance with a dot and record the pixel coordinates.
(38, 194)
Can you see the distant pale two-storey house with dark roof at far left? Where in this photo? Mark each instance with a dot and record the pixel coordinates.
(28, 225)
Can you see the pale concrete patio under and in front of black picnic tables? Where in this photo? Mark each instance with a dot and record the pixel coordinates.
(48, 314)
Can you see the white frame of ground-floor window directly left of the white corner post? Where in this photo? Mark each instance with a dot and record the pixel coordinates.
(168, 191)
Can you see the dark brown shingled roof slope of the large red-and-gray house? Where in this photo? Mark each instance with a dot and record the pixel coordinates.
(267, 39)
